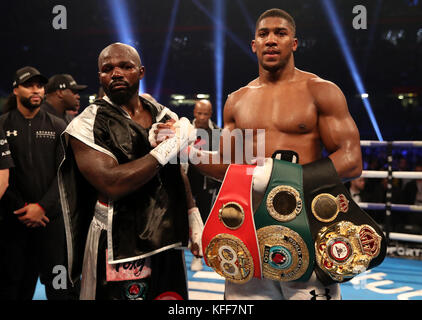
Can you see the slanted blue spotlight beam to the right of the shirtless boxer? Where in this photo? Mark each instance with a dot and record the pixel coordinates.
(341, 38)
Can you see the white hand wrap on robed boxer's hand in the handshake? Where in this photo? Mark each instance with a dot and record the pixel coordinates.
(168, 149)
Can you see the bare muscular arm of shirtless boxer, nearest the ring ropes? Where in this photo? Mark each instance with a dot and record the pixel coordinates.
(337, 129)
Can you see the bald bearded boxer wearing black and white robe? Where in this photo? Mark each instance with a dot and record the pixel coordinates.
(125, 204)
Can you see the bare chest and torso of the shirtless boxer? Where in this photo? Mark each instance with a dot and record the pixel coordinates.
(287, 112)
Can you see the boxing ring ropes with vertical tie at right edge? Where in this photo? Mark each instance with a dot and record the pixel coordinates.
(390, 174)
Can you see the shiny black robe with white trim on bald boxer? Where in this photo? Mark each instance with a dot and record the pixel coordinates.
(150, 220)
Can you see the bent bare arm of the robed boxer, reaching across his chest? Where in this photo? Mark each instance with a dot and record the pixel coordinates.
(111, 180)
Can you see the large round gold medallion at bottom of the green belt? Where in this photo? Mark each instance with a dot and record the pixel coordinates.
(284, 254)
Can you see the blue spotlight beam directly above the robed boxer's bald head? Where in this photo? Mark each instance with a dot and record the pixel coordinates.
(122, 24)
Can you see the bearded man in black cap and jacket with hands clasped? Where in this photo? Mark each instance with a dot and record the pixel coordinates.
(32, 236)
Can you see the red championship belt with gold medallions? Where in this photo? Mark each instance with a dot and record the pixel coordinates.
(229, 238)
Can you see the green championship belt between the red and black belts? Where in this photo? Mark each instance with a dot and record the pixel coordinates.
(285, 240)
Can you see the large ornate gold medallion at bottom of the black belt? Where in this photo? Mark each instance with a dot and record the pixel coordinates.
(344, 250)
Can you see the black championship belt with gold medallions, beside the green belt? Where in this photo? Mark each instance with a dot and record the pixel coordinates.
(347, 240)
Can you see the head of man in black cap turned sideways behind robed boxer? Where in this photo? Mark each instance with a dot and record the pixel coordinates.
(62, 95)
